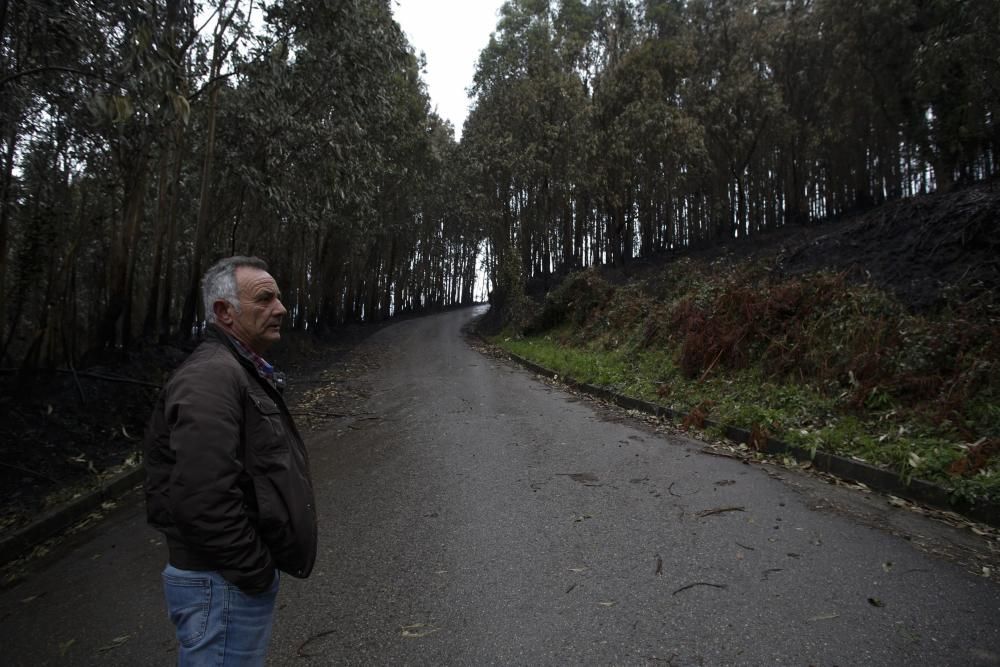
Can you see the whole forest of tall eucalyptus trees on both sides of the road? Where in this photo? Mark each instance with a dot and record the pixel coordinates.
(142, 139)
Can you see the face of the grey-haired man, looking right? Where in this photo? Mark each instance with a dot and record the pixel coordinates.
(258, 323)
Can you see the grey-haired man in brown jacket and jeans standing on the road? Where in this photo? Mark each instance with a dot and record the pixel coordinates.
(227, 476)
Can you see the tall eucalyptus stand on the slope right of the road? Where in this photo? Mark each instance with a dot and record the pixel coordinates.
(607, 129)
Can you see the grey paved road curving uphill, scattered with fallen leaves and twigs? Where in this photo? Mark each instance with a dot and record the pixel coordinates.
(483, 517)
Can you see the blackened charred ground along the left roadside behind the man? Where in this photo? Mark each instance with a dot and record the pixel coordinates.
(64, 432)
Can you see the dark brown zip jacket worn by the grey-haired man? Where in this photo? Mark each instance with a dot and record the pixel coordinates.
(227, 474)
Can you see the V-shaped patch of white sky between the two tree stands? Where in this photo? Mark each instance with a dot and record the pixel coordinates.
(451, 33)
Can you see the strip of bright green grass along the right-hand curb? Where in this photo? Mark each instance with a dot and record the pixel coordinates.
(795, 414)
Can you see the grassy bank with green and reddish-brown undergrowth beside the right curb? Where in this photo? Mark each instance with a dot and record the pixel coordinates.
(811, 360)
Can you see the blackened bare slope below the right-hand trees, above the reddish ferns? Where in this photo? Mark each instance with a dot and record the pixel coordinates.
(929, 251)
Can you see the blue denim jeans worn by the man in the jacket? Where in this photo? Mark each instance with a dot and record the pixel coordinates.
(217, 624)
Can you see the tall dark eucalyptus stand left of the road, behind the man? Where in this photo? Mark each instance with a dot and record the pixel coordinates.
(143, 139)
